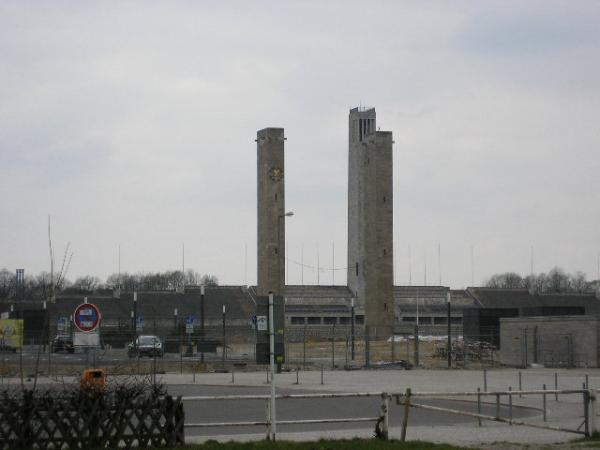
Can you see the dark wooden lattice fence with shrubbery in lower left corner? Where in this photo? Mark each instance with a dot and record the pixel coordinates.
(84, 421)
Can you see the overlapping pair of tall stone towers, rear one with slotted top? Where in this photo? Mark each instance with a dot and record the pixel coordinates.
(370, 220)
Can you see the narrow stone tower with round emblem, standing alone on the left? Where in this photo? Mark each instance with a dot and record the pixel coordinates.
(271, 210)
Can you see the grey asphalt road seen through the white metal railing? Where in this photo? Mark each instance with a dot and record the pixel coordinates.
(289, 409)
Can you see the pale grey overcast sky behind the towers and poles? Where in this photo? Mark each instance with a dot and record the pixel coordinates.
(133, 123)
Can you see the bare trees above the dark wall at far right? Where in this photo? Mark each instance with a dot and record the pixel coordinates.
(555, 281)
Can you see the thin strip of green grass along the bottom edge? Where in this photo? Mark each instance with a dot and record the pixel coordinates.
(351, 444)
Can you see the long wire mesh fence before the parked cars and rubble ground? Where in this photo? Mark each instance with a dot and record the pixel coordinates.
(177, 349)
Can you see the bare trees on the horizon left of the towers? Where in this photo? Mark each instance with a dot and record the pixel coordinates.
(39, 286)
